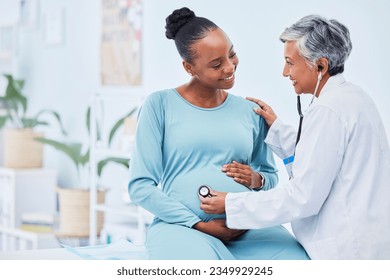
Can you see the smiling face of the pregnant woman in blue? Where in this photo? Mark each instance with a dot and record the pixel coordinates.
(215, 61)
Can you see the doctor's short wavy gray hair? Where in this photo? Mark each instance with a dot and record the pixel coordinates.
(317, 37)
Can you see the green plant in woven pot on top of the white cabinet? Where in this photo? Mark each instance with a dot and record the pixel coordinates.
(20, 148)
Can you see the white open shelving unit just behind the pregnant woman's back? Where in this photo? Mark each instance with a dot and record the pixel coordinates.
(106, 110)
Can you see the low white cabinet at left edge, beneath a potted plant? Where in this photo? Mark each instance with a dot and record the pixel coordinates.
(24, 191)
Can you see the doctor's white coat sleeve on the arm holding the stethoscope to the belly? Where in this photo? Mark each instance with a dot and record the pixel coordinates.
(318, 158)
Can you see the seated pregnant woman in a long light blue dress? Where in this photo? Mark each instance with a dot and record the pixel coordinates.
(184, 137)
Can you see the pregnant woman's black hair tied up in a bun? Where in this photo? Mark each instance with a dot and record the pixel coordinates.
(185, 28)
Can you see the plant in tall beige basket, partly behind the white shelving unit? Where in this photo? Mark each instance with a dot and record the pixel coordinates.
(74, 202)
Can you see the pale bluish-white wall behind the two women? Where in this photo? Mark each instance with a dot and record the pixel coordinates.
(63, 77)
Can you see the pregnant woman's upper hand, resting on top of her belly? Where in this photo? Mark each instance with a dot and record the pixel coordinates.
(242, 174)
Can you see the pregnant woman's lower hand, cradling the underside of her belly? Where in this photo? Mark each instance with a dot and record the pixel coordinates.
(218, 229)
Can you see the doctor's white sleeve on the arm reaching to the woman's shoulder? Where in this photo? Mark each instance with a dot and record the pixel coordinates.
(281, 140)
